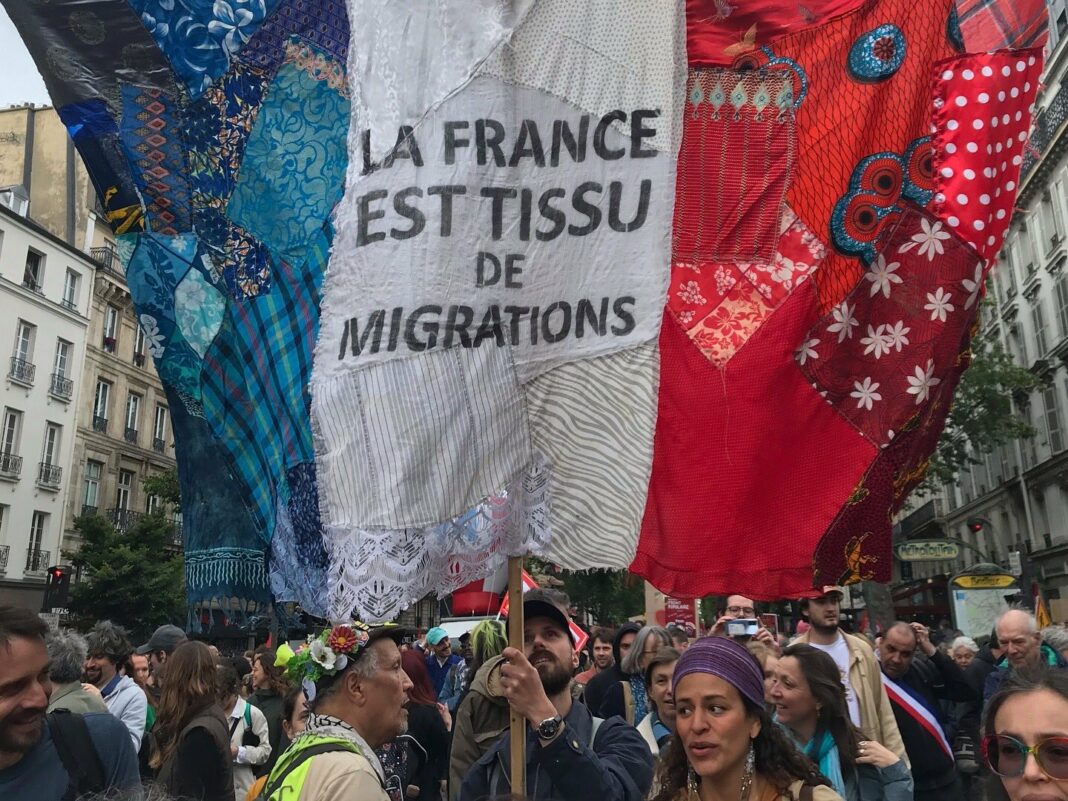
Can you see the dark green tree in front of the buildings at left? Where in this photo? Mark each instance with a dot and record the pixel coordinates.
(134, 578)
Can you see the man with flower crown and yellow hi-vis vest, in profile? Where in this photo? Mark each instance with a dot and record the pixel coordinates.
(357, 694)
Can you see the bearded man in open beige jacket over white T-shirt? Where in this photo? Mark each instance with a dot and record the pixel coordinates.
(869, 705)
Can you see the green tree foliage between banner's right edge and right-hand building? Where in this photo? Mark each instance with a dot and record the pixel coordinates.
(982, 416)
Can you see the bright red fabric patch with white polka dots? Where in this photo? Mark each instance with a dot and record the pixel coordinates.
(983, 114)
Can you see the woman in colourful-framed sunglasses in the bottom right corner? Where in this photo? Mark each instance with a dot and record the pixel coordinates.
(1027, 737)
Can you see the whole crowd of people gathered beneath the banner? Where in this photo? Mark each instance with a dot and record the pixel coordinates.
(371, 714)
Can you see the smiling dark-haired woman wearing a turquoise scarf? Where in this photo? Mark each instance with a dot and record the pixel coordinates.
(810, 703)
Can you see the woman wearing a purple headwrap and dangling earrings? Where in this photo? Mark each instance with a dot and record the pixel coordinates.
(726, 744)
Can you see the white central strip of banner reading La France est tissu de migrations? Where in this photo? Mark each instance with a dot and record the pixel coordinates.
(521, 225)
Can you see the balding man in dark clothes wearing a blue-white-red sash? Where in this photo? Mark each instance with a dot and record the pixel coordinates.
(916, 686)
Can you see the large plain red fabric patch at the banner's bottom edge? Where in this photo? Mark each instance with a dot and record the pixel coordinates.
(727, 509)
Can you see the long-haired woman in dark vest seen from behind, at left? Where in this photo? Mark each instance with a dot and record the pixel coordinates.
(195, 759)
